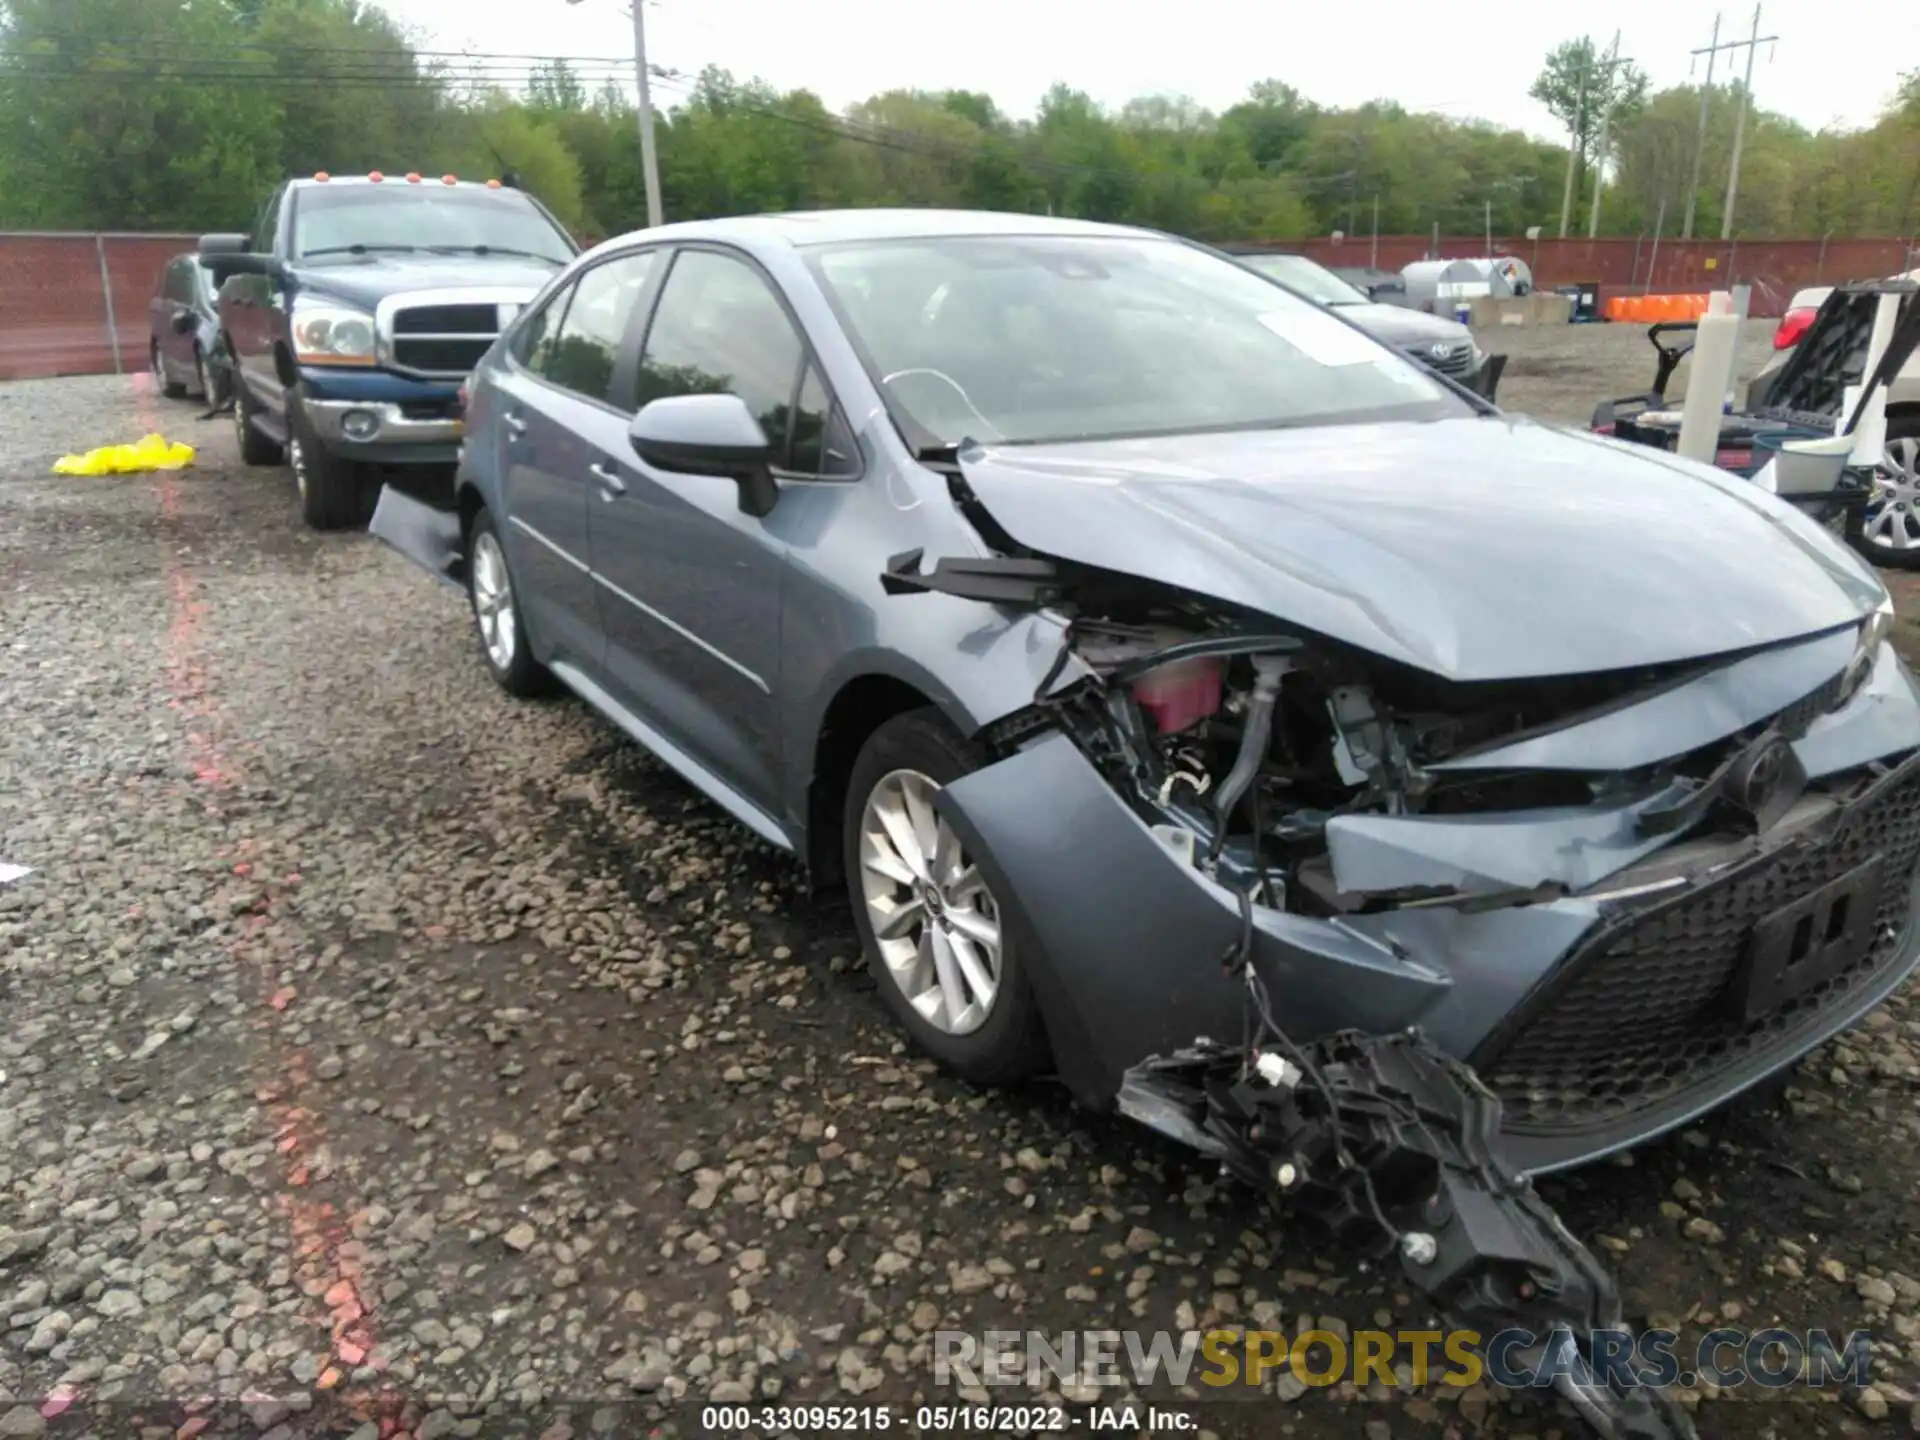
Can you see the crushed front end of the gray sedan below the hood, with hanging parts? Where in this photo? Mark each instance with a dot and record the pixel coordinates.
(1389, 944)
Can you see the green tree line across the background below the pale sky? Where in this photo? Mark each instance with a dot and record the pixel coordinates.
(110, 120)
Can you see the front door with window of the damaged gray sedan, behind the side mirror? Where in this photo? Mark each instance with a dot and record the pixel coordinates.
(690, 587)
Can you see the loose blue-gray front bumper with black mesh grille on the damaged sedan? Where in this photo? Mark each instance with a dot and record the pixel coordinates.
(1598, 1022)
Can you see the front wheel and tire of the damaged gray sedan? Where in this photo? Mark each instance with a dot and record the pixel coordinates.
(936, 940)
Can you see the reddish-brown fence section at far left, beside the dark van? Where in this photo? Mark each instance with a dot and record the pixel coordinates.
(53, 302)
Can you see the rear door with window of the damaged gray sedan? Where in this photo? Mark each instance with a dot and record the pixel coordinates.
(565, 368)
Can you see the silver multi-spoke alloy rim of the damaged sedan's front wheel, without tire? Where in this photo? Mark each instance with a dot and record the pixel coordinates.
(934, 919)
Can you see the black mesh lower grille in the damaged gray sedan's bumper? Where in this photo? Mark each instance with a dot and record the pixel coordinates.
(1643, 1013)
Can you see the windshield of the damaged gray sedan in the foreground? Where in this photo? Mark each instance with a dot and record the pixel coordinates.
(1030, 339)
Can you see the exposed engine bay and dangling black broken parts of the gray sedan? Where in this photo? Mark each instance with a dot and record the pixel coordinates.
(1237, 744)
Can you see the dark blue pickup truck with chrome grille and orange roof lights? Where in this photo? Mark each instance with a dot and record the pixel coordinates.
(356, 308)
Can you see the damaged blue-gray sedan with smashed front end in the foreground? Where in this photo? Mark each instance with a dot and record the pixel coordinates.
(1378, 792)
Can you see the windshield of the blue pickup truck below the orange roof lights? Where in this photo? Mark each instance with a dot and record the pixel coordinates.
(423, 218)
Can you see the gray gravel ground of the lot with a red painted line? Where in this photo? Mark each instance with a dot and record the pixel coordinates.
(377, 1042)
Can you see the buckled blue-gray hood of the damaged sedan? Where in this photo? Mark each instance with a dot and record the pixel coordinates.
(1477, 548)
